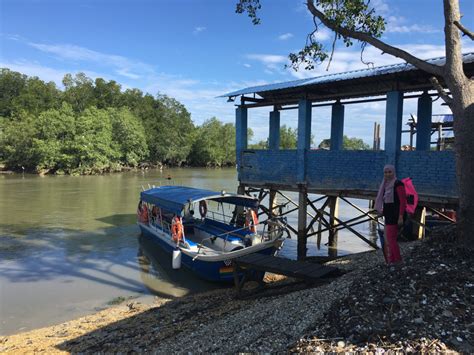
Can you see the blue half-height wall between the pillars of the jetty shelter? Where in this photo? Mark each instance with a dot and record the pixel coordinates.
(433, 173)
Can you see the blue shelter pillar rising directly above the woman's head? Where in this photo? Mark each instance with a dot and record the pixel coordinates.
(393, 125)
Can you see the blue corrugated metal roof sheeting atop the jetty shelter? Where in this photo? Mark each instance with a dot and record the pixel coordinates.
(355, 74)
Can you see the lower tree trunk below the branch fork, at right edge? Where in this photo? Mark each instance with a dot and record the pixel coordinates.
(463, 110)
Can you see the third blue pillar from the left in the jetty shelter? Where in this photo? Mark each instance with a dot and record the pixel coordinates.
(304, 138)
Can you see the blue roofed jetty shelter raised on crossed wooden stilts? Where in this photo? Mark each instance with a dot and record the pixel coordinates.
(336, 174)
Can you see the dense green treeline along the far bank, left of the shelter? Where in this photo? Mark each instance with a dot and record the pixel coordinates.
(92, 126)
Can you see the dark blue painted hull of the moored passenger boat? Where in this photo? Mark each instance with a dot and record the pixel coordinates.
(216, 271)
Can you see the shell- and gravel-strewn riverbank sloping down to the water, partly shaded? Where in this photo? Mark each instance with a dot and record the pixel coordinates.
(423, 305)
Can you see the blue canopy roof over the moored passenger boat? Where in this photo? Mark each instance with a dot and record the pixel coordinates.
(174, 198)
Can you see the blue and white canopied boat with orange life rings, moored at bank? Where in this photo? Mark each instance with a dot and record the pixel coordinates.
(225, 228)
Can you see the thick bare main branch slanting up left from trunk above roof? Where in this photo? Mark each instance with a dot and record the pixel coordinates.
(364, 37)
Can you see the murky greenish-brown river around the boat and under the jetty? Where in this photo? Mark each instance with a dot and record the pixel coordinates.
(69, 245)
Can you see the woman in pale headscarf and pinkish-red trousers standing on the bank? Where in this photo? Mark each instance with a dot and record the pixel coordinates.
(391, 203)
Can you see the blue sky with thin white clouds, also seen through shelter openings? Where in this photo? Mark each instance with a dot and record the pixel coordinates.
(196, 50)
